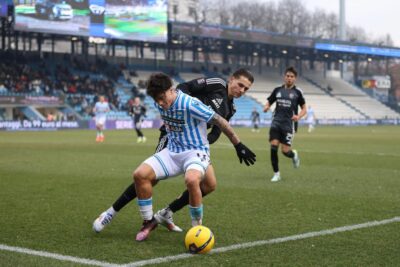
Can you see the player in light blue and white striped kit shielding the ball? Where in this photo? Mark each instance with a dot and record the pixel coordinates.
(187, 152)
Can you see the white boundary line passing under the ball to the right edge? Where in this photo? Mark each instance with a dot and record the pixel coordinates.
(268, 242)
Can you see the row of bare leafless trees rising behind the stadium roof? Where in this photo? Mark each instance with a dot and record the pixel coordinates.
(286, 17)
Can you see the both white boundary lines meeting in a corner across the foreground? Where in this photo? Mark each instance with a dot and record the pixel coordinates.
(186, 255)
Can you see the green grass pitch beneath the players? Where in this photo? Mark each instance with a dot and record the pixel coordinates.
(54, 184)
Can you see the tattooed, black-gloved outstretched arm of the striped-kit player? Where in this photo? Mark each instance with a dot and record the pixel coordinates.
(243, 152)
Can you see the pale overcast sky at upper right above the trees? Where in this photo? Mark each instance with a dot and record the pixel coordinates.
(376, 17)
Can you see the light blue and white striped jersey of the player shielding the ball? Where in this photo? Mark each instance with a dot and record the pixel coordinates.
(186, 123)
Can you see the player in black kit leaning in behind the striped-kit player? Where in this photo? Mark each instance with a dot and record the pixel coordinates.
(219, 95)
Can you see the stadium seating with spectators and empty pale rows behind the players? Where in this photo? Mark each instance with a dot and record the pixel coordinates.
(81, 82)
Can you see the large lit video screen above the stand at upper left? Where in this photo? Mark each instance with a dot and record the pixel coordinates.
(143, 20)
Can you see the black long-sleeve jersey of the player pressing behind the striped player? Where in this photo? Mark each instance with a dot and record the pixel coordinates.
(214, 93)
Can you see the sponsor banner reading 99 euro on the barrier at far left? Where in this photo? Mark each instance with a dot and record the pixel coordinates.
(41, 125)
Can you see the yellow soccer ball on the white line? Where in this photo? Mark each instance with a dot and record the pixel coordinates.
(199, 239)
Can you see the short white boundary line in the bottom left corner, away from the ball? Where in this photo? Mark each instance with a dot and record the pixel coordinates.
(57, 256)
